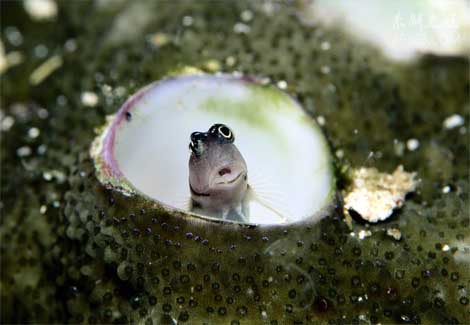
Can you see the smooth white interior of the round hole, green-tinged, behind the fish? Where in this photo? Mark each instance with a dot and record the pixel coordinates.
(288, 161)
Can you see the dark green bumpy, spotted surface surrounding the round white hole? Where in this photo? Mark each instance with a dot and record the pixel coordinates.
(74, 252)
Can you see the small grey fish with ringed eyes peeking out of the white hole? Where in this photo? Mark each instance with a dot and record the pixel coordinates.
(218, 178)
